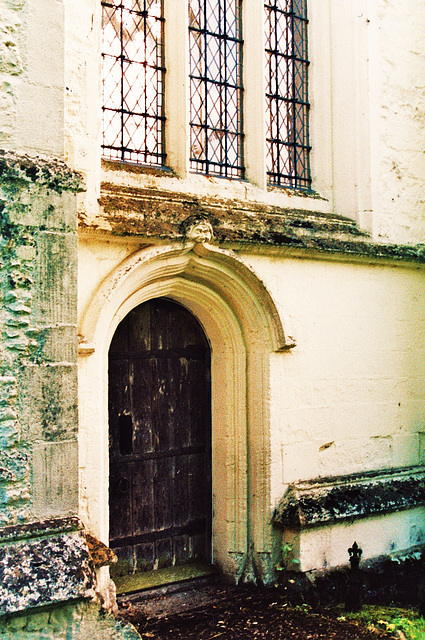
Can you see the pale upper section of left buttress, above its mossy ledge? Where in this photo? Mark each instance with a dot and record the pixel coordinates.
(32, 76)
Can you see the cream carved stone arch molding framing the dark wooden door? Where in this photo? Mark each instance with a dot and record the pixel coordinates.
(243, 326)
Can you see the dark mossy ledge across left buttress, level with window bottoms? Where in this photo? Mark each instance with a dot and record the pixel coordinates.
(46, 172)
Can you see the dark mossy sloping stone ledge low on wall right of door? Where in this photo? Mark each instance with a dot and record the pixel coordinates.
(326, 500)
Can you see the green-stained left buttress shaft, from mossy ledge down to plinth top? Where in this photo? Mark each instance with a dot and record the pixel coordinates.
(38, 353)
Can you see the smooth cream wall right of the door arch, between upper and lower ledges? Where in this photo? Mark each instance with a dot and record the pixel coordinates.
(350, 397)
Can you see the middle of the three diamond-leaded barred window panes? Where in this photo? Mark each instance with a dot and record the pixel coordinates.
(215, 87)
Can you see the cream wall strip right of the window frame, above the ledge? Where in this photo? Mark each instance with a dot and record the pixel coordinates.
(397, 81)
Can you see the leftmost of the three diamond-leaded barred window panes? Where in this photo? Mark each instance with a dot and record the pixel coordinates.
(132, 77)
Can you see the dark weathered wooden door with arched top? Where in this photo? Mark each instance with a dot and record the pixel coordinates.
(159, 439)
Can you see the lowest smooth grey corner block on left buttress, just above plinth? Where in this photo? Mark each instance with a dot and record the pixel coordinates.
(55, 479)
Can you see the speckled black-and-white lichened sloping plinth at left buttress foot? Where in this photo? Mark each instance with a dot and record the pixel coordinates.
(43, 565)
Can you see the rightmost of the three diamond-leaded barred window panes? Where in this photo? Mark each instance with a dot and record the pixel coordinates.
(286, 93)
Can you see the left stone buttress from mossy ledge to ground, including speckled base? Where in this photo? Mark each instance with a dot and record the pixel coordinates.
(44, 559)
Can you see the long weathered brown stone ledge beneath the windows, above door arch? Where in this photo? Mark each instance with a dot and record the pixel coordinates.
(161, 215)
